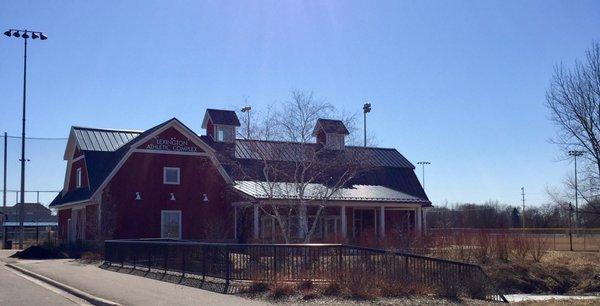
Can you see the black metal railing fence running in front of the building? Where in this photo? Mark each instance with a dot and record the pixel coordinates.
(294, 263)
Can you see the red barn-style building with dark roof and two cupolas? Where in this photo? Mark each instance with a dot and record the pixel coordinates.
(170, 182)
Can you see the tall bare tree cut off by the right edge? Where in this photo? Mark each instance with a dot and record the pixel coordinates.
(574, 103)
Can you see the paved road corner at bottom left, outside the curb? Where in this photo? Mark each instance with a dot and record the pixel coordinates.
(18, 290)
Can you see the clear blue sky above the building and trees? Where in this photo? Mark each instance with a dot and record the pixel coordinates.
(458, 83)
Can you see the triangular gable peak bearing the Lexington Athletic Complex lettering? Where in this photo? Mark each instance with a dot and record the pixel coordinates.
(171, 140)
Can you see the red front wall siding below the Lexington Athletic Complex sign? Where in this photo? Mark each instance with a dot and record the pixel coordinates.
(143, 172)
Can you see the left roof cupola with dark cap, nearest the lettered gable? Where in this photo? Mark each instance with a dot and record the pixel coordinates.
(220, 124)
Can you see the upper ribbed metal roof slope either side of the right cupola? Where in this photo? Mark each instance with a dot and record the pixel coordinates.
(292, 151)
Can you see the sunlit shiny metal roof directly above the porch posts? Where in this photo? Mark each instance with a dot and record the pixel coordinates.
(313, 191)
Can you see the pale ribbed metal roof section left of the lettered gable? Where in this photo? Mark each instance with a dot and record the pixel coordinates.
(106, 140)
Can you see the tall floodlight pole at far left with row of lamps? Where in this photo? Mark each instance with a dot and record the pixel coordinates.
(25, 35)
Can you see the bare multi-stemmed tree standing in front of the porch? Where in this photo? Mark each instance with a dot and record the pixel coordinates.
(294, 172)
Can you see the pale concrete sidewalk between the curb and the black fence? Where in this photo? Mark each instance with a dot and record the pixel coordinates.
(127, 289)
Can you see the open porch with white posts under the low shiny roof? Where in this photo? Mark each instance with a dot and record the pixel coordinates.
(338, 222)
